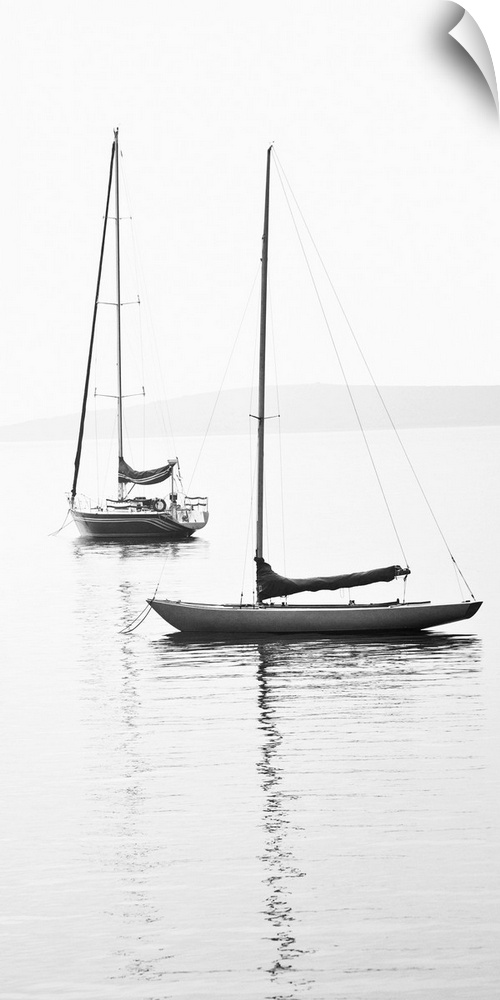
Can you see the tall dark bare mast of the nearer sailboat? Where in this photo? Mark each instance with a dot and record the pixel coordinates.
(262, 370)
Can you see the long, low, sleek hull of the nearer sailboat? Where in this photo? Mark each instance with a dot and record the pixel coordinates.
(319, 619)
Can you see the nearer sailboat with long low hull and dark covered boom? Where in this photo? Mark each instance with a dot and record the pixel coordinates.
(263, 616)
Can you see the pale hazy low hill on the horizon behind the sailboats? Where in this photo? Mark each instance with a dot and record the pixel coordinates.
(305, 408)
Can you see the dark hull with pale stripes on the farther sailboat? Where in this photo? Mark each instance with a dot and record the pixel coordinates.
(122, 526)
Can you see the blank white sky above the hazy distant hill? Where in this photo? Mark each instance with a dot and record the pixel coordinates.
(392, 152)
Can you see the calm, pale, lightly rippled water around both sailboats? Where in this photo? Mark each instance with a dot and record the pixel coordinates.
(291, 818)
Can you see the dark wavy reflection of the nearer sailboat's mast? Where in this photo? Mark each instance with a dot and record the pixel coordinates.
(278, 859)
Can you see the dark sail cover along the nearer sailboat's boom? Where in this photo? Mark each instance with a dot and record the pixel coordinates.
(270, 584)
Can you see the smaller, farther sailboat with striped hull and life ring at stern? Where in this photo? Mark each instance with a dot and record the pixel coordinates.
(126, 516)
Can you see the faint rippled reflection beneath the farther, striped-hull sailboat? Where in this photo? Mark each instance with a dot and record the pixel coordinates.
(122, 802)
